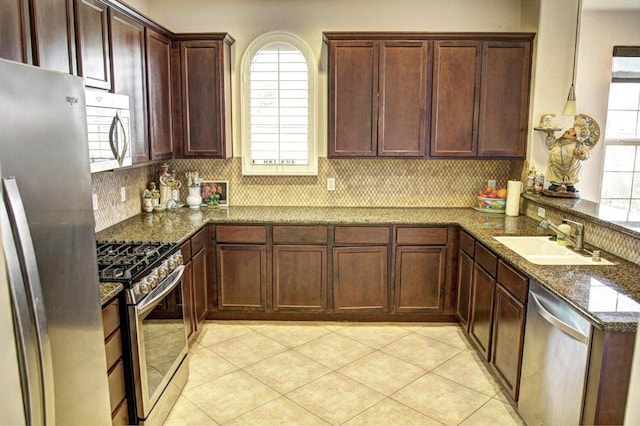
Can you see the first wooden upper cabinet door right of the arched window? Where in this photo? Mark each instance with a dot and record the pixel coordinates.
(353, 98)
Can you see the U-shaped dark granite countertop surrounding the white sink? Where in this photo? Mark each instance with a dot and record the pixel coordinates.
(609, 296)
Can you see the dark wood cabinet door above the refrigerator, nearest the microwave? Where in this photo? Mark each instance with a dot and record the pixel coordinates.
(54, 36)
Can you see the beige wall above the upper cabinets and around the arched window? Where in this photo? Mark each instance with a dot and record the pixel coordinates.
(247, 19)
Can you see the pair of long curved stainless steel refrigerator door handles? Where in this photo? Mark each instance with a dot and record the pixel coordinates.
(31, 322)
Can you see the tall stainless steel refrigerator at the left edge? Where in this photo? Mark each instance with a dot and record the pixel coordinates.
(52, 346)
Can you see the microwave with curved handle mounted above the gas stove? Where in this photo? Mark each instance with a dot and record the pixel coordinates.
(108, 128)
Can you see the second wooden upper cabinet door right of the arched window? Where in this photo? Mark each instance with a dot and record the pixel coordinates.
(402, 122)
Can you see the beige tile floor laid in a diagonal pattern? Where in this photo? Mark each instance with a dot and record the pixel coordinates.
(330, 373)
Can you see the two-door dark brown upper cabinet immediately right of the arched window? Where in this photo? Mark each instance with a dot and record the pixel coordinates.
(377, 97)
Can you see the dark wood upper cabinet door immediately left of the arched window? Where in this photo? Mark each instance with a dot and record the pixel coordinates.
(202, 64)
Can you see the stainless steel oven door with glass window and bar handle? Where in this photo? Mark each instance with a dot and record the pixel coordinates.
(159, 344)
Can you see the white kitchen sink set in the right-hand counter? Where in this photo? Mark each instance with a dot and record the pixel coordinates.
(544, 251)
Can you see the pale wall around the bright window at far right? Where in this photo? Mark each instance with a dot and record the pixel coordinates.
(600, 31)
